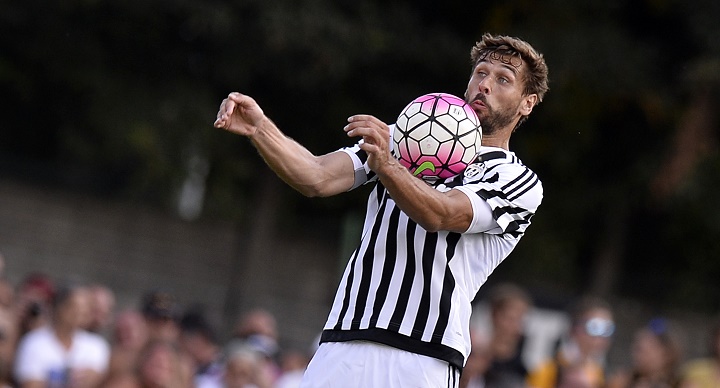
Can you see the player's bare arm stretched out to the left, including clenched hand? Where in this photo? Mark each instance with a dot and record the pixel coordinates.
(309, 174)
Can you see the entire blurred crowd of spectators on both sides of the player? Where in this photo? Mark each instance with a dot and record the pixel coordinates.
(73, 335)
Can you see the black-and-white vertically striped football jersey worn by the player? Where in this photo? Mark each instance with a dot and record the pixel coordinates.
(412, 289)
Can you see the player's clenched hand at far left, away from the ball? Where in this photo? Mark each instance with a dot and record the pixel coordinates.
(239, 114)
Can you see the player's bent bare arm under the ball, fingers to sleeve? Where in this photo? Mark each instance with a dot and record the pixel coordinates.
(431, 209)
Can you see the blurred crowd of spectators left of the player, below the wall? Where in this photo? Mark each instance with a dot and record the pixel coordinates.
(66, 335)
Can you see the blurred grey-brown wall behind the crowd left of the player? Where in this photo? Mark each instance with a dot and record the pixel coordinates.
(72, 237)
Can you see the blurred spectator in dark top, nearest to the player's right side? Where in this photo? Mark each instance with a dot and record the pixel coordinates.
(509, 305)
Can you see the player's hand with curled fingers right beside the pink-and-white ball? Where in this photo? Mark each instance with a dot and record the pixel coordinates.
(376, 139)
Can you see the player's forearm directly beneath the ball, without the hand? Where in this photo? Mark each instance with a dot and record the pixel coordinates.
(431, 209)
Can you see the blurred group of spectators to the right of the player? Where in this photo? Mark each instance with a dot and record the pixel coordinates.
(579, 356)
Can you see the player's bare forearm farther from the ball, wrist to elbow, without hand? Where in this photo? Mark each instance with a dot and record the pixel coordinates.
(294, 164)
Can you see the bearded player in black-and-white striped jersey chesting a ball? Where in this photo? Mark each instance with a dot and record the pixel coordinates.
(401, 313)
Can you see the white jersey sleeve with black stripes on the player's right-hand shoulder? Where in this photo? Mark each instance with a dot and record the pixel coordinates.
(513, 193)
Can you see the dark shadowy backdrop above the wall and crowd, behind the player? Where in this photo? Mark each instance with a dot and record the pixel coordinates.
(116, 100)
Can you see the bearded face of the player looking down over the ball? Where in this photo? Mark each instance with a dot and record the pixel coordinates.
(495, 92)
